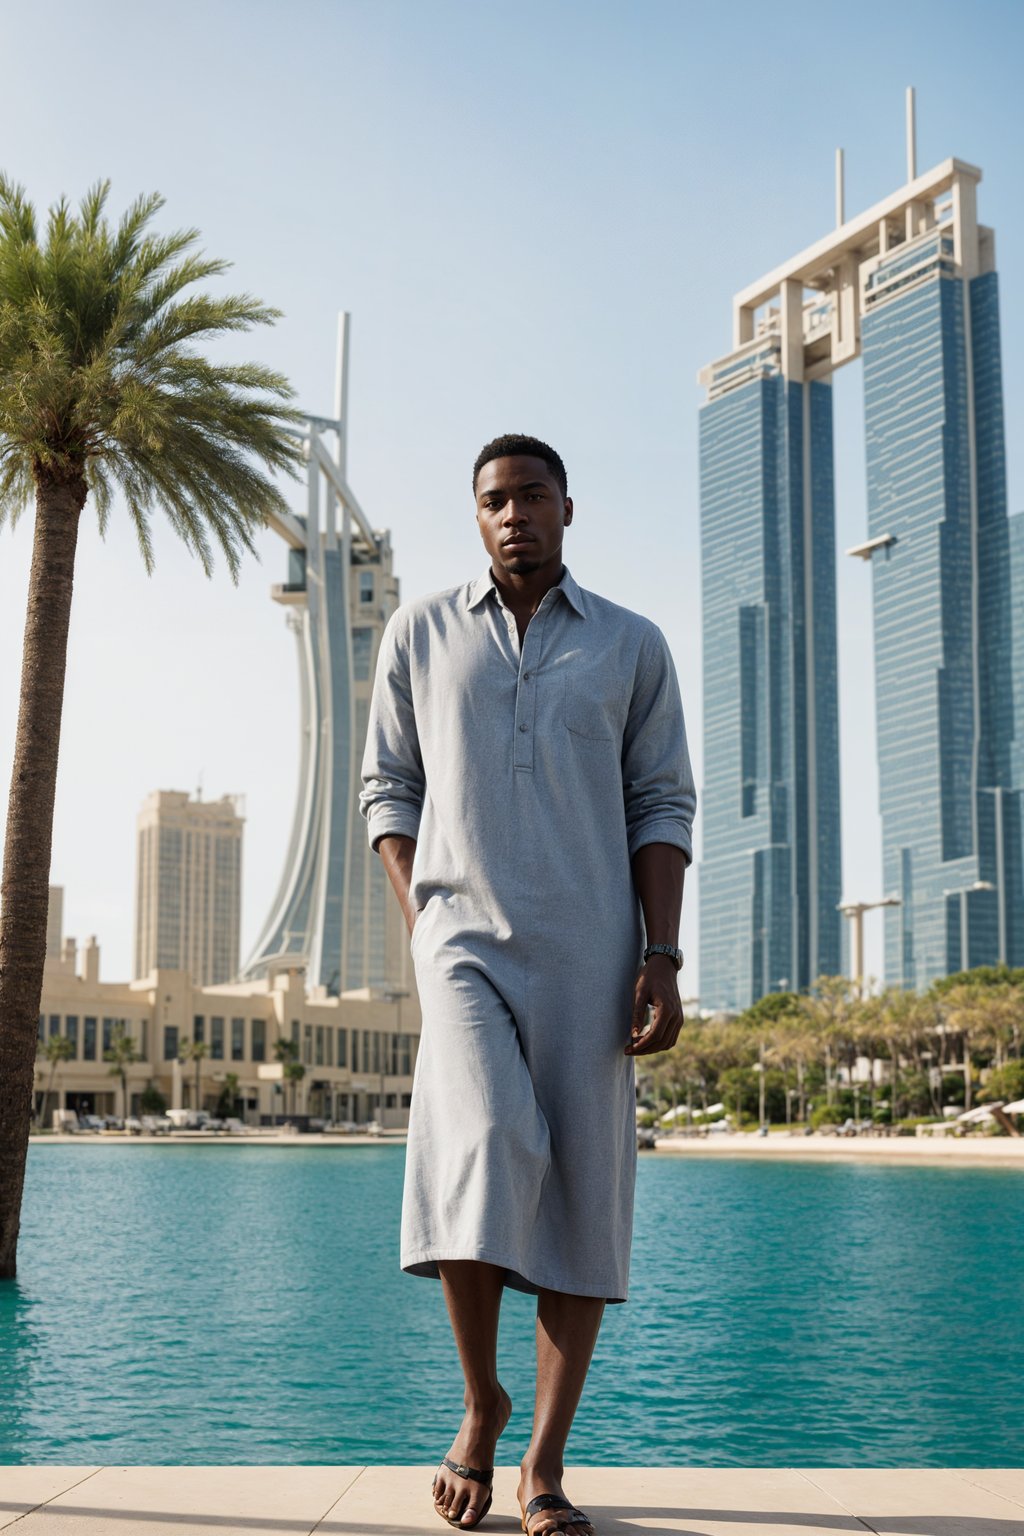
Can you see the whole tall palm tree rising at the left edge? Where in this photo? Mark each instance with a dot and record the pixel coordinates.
(104, 386)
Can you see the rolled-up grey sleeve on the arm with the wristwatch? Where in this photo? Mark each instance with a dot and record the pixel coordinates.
(658, 783)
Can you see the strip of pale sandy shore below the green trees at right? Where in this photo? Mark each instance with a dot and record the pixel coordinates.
(993, 1151)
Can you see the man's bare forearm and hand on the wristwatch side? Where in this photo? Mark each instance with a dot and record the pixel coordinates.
(658, 872)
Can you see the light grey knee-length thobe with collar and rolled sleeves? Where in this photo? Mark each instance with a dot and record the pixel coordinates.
(529, 778)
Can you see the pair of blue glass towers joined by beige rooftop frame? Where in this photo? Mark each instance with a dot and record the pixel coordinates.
(911, 288)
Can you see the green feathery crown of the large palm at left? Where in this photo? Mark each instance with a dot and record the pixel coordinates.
(104, 376)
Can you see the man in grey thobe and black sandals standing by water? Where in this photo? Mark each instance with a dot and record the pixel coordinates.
(529, 790)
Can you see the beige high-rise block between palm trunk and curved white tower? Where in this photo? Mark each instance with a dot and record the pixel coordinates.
(188, 887)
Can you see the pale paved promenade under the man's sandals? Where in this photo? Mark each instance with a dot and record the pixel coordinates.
(394, 1501)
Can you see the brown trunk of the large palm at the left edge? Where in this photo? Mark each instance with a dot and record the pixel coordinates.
(27, 850)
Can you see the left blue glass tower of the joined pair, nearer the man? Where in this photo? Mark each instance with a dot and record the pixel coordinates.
(771, 824)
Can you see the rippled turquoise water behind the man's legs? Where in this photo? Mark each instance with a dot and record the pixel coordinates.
(225, 1305)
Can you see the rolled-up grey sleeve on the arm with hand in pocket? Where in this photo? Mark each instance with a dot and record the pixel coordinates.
(392, 766)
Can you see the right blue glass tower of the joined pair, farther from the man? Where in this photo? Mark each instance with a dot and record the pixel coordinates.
(943, 600)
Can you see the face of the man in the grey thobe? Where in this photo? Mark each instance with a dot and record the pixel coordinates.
(521, 514)
